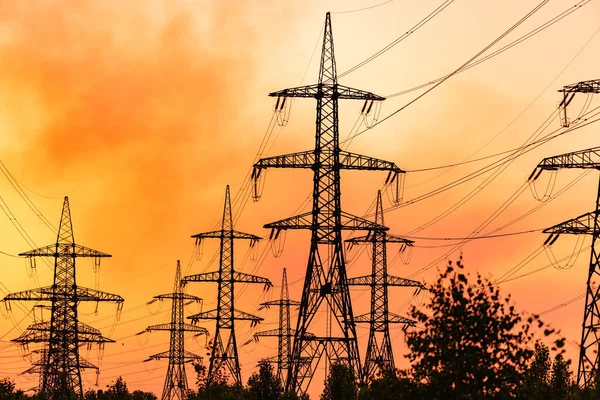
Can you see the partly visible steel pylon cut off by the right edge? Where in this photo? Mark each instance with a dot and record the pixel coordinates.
(584, 224)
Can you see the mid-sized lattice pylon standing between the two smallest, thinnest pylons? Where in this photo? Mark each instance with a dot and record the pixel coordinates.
(224, 353)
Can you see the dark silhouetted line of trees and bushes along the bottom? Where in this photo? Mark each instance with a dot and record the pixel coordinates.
(469, 343)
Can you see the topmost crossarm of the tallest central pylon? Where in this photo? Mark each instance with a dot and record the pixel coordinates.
(324, 90)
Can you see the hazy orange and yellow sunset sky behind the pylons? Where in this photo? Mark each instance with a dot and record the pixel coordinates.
(143, 111)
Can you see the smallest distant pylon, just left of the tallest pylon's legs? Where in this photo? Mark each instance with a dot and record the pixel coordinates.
(284, 333)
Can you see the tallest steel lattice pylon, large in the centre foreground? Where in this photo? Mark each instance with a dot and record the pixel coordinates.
(325, 285)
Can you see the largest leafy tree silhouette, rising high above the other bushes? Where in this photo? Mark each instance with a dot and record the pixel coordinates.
(474, 344)
